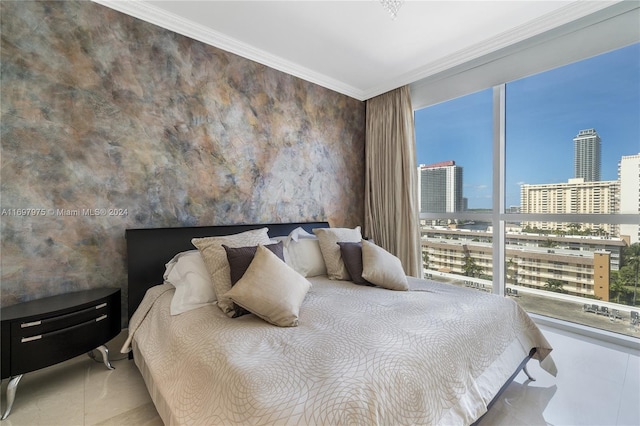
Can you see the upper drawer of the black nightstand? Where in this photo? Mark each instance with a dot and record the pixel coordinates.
(58, 322)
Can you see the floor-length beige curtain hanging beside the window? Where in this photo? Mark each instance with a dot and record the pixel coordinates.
(391, 187)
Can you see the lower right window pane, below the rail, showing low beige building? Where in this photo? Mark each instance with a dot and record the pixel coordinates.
(586, 280)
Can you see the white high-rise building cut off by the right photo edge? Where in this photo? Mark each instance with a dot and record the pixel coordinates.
(629, 177)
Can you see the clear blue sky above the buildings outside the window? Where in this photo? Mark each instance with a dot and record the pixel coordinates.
(544, 113)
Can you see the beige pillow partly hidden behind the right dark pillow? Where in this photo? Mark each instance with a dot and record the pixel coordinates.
(329, 238)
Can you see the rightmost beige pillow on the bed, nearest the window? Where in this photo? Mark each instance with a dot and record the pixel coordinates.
(381, 268)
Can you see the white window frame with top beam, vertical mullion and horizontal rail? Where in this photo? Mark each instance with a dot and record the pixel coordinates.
(606, 30)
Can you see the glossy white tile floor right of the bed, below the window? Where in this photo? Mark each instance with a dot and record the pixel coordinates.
(597, 384)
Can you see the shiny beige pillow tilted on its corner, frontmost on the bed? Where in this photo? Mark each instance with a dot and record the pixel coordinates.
(271, 289)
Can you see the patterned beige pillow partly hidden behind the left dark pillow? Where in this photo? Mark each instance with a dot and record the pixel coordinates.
(215, 259)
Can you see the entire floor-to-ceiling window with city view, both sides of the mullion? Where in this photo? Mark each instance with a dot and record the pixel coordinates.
(531, 189)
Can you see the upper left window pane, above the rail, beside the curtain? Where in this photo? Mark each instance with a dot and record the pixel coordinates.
(454, 153)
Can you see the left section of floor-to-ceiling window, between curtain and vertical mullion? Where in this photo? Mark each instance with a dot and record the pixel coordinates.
(455, 172)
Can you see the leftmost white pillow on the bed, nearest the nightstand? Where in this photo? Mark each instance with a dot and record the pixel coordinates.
(188, 274)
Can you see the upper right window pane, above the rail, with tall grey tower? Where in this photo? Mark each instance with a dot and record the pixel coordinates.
(573, 139)
